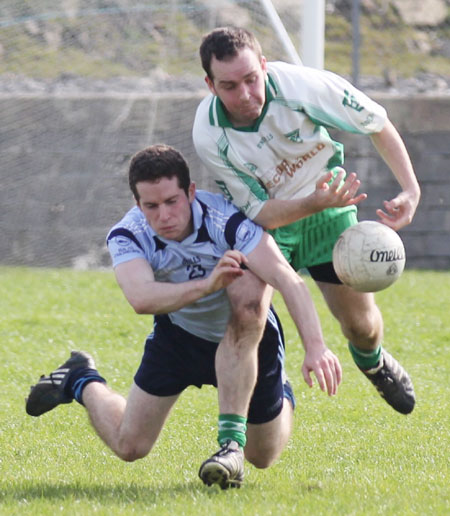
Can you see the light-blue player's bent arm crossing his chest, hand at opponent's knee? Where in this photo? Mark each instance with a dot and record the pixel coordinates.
(148, 296)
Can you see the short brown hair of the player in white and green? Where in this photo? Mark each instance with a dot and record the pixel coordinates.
(224, 43)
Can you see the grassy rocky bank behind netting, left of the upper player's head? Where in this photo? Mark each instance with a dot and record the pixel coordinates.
(99, 44)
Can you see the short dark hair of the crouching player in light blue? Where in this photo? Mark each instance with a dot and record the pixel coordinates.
(155, 162)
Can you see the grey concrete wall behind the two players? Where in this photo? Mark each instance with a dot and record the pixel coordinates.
(64, 162)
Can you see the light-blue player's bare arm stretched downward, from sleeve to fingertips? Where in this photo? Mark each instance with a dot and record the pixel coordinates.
(270, 265)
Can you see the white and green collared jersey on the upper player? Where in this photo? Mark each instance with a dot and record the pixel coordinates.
(288, 148)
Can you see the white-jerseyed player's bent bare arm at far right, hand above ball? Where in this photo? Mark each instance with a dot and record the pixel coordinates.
(399, 211)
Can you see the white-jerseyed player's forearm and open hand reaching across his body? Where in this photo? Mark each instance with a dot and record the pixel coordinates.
(329, 193)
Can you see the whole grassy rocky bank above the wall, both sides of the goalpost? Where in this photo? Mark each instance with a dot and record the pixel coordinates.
(111, 39)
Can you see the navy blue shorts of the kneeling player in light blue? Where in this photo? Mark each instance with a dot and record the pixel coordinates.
(174, 359)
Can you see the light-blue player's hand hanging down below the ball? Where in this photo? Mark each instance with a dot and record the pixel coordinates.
(326, 367)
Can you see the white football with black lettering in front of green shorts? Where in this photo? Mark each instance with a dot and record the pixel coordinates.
(369, 256)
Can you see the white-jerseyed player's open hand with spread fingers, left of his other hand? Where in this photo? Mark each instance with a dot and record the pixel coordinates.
(336, 193)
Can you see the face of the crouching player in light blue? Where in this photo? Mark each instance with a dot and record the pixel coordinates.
(166, 207)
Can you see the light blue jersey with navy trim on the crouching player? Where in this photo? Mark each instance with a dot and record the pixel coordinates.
(218, 227)
